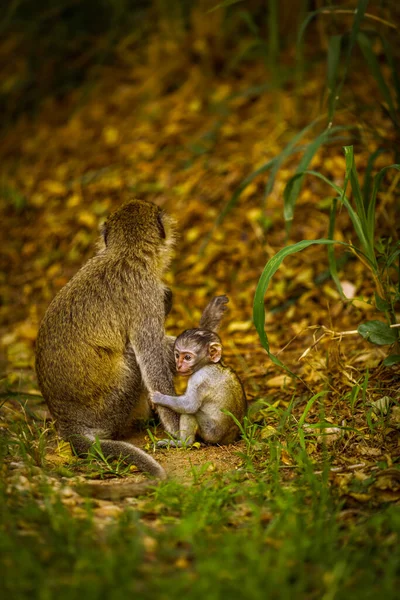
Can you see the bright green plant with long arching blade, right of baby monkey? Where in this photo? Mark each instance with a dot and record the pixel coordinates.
(362, 215)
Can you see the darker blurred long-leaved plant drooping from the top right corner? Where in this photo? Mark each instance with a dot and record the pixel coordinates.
(339, 56)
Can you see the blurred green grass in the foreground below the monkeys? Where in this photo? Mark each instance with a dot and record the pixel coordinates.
(263, 532)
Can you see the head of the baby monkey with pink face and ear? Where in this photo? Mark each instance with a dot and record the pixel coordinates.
(195, 348)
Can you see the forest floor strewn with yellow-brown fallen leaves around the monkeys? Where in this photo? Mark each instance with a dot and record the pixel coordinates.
(62, 173)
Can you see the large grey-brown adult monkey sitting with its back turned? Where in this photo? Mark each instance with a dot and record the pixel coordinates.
(101, 346)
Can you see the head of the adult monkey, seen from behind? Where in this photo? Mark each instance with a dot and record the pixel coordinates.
(142, 229)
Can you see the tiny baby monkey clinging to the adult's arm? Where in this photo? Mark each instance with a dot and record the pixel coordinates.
(212, 388)
